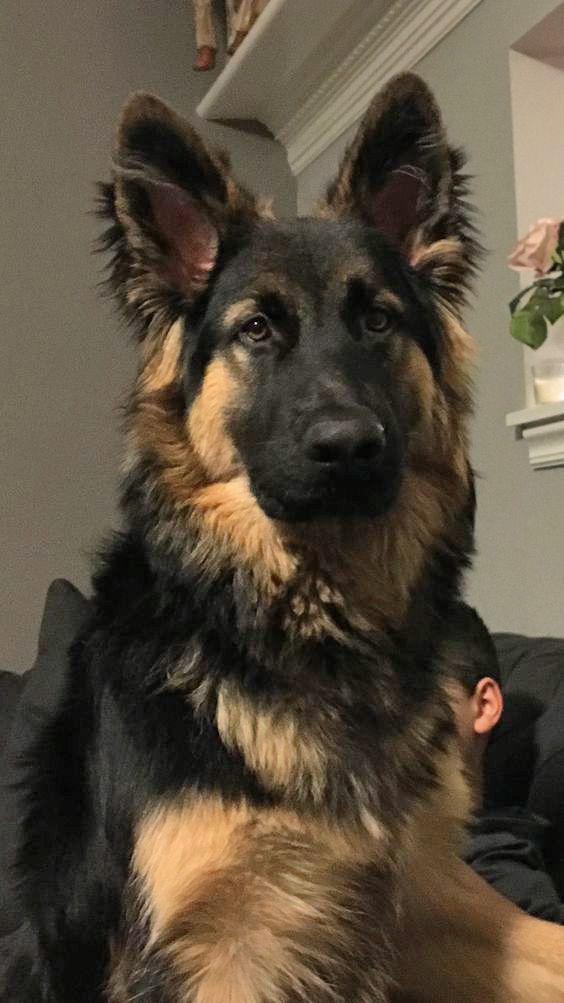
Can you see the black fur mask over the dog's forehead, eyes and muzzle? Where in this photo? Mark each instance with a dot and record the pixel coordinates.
(314, 320)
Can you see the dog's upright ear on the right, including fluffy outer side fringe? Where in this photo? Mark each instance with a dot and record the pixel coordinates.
(401, 176)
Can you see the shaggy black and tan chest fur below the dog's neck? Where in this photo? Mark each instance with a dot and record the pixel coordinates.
(270, 876)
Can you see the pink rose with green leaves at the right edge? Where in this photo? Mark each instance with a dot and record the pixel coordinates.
(541, 303)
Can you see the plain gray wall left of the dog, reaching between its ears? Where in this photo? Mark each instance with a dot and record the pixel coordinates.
(66, 69)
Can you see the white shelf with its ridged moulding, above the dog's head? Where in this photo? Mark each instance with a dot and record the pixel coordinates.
(309, 69)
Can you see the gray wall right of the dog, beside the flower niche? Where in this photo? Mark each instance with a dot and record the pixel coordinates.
(518, 582)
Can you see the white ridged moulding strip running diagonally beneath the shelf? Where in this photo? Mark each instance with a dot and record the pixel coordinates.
(406, 34)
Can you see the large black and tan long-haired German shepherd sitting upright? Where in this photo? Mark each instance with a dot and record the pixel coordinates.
(255, 785)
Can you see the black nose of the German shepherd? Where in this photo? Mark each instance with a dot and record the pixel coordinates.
(355, 444)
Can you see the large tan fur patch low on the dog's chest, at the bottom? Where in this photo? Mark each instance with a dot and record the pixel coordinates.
(247, 905)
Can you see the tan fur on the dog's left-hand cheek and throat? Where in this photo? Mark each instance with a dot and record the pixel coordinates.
(200, 469)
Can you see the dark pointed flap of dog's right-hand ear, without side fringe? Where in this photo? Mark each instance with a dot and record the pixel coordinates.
(397, 173)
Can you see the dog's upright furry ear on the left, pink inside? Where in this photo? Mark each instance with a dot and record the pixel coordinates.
(172, 202)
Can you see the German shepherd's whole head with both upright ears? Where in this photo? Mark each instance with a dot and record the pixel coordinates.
(293, 372)
